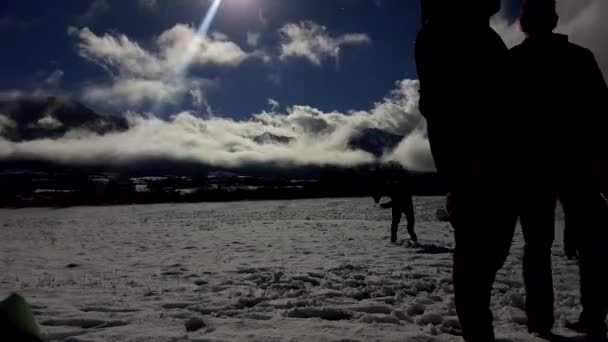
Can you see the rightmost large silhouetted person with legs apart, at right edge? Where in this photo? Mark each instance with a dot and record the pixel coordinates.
(562, 99)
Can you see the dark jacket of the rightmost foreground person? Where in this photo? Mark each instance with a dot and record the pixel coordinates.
(562, 103)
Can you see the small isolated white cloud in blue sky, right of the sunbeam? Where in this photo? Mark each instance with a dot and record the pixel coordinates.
(313, 42)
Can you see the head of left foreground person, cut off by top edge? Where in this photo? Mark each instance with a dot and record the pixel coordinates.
(459, 10)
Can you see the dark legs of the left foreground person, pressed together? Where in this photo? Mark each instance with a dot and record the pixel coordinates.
(483, 233)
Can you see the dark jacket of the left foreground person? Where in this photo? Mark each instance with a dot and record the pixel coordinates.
(463, 93)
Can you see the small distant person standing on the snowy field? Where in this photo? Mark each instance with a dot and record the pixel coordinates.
(394, 182)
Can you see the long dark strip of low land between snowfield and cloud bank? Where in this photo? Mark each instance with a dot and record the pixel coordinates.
(39, 183)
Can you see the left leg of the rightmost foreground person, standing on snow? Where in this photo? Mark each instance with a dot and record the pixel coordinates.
(538, 226)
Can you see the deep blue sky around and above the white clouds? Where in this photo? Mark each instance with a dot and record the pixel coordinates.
(44, 57)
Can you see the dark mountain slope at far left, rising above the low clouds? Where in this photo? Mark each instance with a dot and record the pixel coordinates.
(37, 117)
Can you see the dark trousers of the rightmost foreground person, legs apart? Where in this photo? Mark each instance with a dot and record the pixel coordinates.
(588, 228)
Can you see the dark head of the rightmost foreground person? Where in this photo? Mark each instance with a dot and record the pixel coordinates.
(538, 17)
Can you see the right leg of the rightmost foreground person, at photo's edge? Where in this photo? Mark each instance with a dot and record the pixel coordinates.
(589, 215)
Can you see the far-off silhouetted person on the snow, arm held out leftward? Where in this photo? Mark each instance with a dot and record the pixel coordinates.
(399, 191)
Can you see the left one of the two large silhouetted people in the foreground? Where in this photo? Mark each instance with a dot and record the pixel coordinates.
(462, 70)
